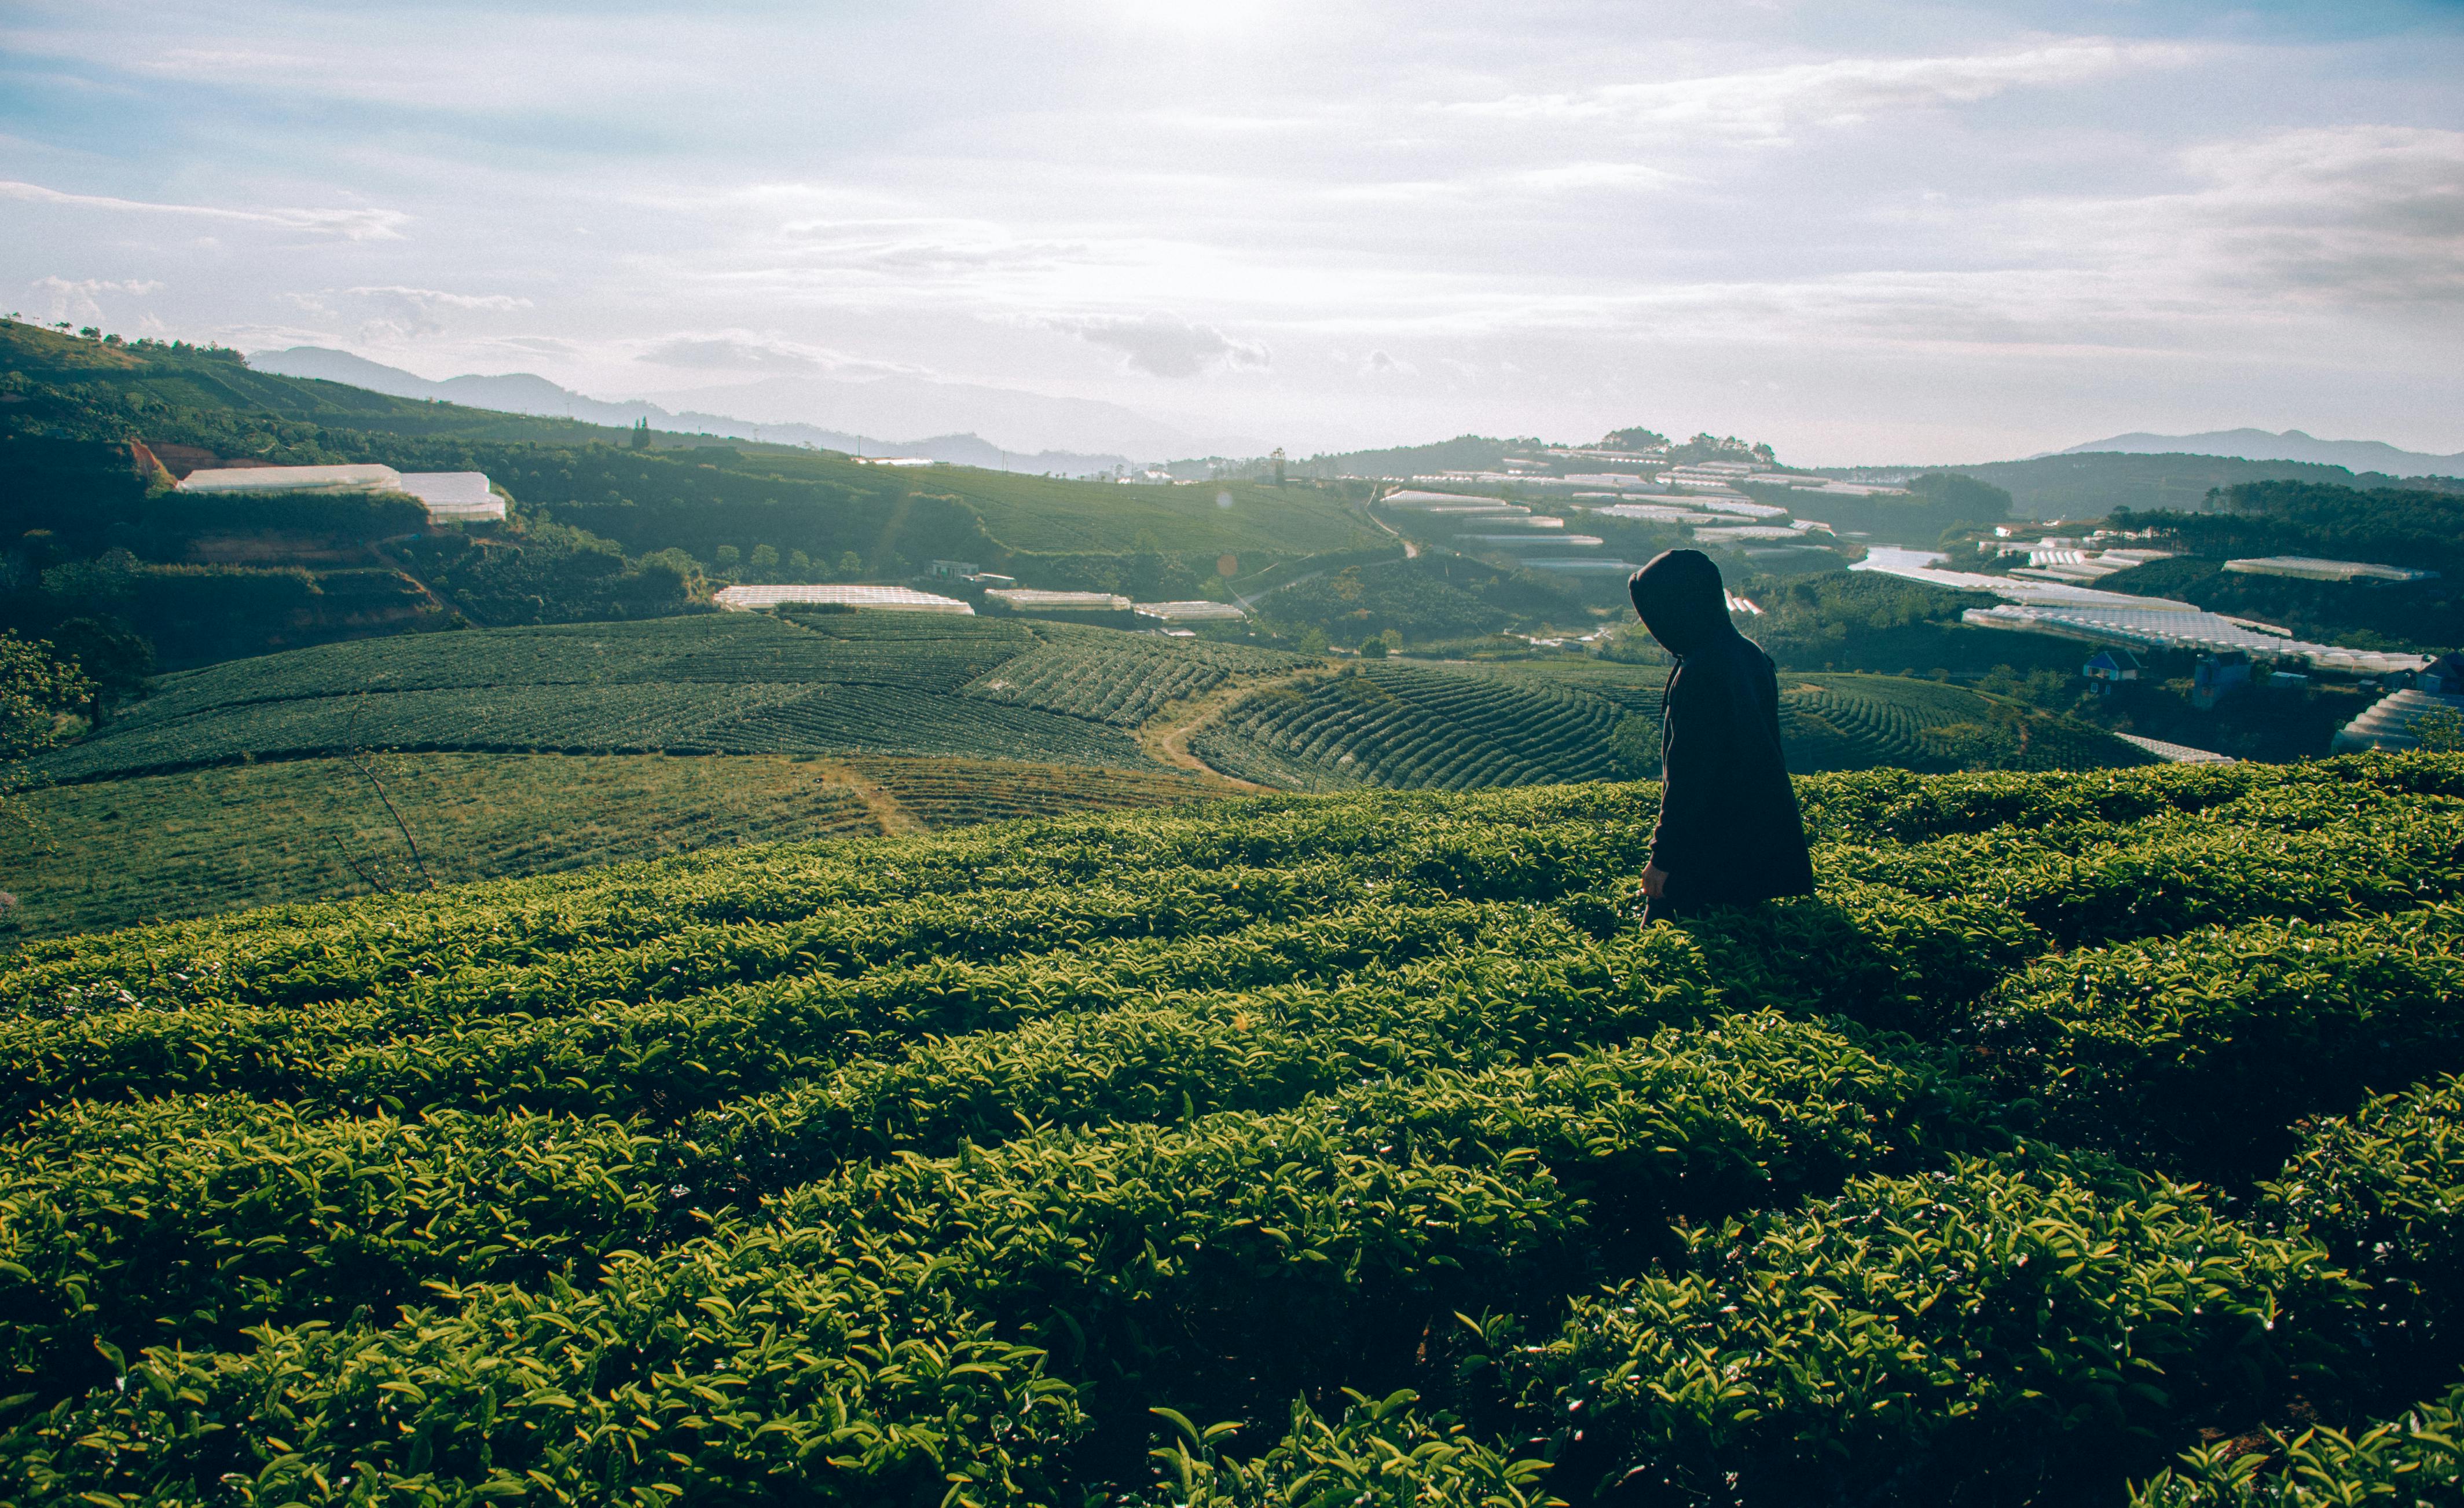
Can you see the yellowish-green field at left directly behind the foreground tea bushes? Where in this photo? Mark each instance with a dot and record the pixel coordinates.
(208, 841)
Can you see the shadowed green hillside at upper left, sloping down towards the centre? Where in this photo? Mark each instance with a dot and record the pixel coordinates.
(607, 524)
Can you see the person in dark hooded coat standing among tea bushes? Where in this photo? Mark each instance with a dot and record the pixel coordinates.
(1728, 814)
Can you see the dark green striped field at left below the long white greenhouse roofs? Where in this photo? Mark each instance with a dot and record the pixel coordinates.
(728, 684)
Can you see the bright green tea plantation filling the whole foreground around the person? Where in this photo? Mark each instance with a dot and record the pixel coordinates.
(2088, 1140)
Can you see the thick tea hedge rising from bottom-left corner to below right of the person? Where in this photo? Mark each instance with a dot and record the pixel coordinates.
(1221, 1260)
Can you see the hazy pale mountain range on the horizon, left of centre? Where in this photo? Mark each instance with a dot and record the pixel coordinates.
(859, 418)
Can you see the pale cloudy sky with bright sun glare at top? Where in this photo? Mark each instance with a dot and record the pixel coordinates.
(1857, 230)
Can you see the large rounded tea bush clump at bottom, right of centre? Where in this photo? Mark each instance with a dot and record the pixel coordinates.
(2017, 1327)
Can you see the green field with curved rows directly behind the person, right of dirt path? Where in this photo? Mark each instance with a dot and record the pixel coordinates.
(1455, 728)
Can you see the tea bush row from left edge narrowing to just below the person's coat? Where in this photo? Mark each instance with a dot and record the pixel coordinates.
(233, 1211)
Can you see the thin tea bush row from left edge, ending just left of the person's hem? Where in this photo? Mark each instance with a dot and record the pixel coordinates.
(405, 1051)
